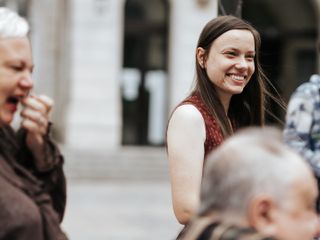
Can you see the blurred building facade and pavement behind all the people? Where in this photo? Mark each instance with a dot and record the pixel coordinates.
(116, 69)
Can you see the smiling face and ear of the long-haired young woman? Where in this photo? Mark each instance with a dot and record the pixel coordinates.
(230, 61)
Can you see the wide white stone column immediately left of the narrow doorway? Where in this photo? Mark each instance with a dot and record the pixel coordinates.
(94, 112)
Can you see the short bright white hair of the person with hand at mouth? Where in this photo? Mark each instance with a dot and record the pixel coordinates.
(12, 25)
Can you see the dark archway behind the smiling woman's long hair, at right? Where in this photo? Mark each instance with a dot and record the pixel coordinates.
(288, 50)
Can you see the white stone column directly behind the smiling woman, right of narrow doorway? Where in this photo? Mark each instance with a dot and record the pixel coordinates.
(188, 17)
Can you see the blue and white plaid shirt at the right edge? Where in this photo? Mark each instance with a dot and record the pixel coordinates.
(302, 129)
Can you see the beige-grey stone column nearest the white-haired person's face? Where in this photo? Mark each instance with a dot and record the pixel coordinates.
(49, 37)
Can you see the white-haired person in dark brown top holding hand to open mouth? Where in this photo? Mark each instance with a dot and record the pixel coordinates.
(32, 182)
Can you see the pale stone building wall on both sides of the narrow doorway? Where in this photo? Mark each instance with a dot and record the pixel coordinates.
(77, 48)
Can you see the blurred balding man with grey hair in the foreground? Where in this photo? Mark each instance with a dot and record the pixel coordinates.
(254, 187)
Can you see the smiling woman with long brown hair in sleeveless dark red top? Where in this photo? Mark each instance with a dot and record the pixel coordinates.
(229, 94)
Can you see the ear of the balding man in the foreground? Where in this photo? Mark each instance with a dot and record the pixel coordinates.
(261, 215)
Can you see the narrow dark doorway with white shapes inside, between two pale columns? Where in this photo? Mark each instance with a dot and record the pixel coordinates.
(144, 72)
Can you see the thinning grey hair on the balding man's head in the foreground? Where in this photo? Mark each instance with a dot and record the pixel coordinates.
(253, 162)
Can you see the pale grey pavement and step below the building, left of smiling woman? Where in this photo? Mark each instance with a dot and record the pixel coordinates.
(123, 195)
